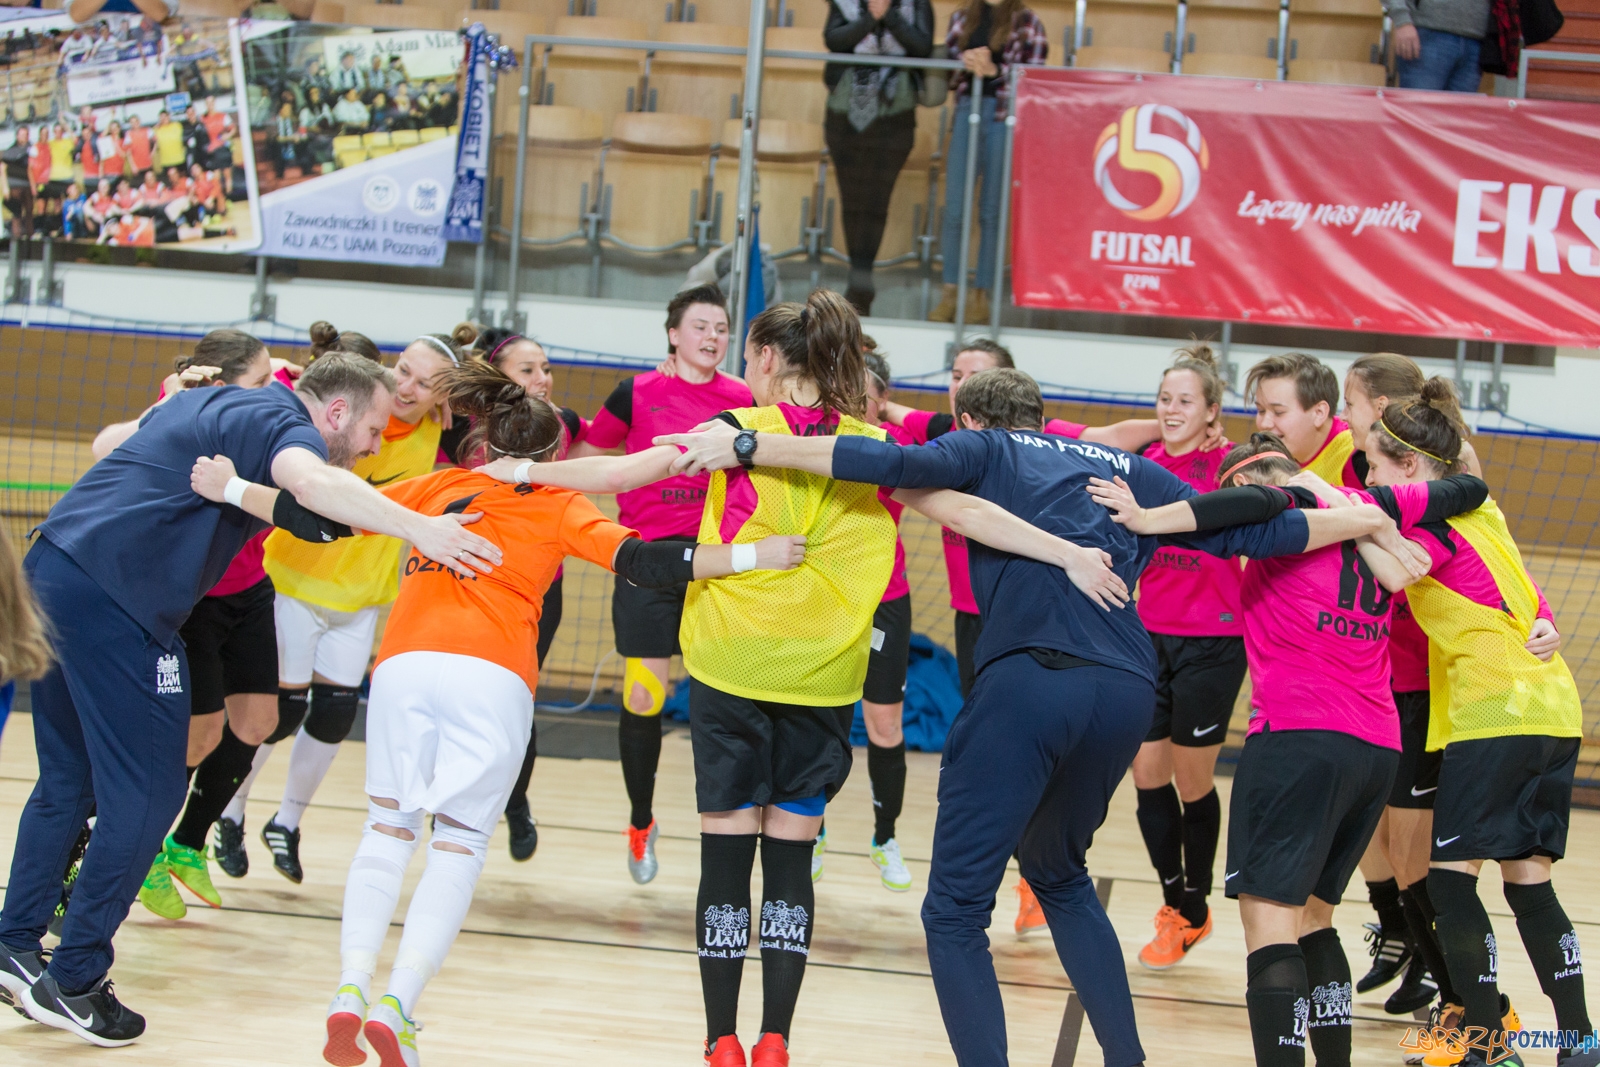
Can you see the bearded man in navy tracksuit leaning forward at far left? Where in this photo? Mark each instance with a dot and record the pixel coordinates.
(121, 562)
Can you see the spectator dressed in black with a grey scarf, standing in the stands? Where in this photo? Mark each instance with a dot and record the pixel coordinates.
(871, 121)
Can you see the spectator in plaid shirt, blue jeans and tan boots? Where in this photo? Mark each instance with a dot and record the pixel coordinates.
(990, 38)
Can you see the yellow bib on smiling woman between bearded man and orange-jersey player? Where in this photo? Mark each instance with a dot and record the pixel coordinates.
(358, 572)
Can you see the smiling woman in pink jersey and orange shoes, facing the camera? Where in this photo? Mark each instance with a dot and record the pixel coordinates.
(1190, 604)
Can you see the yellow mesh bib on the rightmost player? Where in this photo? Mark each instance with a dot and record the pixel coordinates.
(1484, 682)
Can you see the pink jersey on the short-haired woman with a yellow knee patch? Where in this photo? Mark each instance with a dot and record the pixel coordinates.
(647, 406)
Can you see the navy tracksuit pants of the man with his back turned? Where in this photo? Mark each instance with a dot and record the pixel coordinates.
(1030, 767)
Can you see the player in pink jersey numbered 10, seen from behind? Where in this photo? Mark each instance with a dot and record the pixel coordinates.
(1322, 746)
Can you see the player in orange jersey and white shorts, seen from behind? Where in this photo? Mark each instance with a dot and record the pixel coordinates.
(452, 700)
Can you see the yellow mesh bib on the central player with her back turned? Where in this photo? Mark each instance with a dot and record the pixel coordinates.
(802, 636)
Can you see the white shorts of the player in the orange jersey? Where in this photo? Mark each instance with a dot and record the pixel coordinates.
(447, 733)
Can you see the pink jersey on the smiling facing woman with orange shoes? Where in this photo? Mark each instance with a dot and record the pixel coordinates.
(1185, 593)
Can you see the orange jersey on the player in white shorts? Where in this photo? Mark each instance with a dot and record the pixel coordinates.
(494, 617)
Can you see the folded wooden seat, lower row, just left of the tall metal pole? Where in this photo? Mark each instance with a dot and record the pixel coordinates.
(655, 177)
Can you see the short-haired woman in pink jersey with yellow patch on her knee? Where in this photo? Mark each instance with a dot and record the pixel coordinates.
(647, 620)
